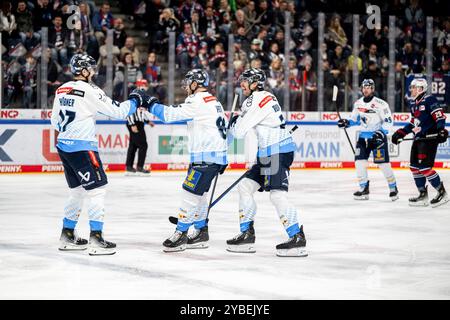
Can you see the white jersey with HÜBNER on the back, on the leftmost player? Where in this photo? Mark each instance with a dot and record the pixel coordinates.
(74, 109)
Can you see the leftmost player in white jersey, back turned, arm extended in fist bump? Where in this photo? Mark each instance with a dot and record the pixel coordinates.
(73, 116)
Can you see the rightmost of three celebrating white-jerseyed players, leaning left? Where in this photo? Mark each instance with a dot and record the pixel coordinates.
(262, 113)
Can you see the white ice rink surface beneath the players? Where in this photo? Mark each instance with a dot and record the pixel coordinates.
(375, 249)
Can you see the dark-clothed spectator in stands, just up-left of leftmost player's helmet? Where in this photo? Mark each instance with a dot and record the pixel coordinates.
(57, 41)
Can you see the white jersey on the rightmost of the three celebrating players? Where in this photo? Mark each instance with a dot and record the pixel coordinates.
(262, 113)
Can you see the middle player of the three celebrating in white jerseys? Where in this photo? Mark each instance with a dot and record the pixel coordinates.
(207, 146)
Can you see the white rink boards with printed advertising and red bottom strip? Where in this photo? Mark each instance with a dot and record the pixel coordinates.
(27, 143)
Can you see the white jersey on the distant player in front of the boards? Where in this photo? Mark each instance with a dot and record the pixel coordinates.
(372, 116)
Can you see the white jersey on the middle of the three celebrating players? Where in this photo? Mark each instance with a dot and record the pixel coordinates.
(206, 124)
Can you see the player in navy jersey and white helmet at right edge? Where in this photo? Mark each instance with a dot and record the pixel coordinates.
(428, 126)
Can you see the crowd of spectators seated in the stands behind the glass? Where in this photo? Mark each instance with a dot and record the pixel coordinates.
(202, 28)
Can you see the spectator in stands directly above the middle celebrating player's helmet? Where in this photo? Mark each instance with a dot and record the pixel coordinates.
(187, 48)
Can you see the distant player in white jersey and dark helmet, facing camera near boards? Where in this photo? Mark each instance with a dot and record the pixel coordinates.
(374, 117)
